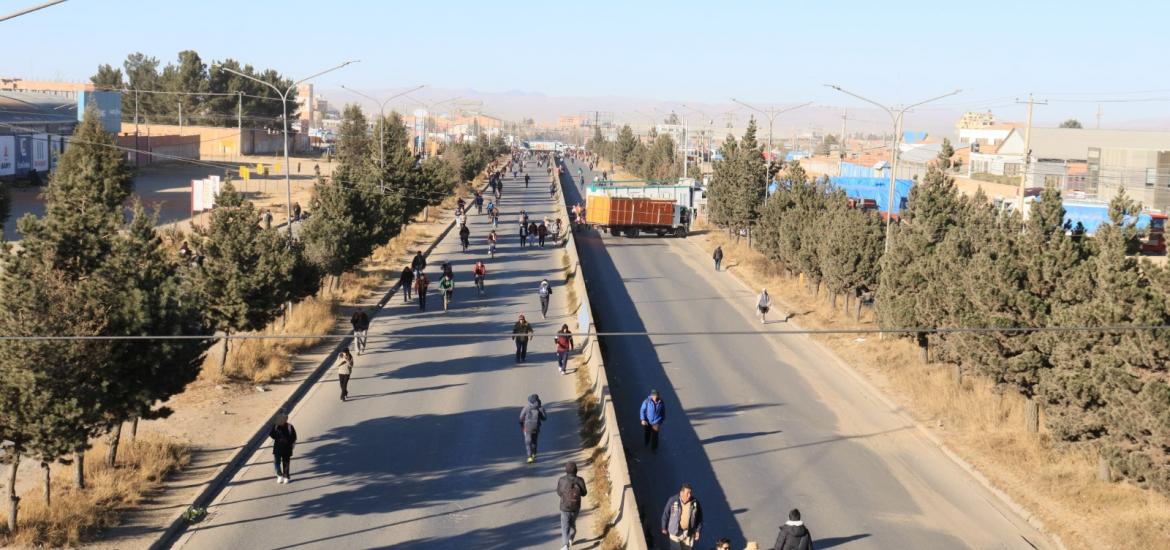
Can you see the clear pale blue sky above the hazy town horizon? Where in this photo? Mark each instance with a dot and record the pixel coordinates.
(701, 52)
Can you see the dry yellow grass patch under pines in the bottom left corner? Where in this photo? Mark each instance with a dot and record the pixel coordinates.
(78, 514)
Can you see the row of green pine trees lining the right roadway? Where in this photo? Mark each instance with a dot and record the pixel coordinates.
(958, 263)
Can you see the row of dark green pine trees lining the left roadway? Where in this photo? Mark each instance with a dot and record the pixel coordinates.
(92, 267)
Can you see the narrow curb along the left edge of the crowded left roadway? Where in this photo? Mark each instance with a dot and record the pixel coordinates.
(211, 491)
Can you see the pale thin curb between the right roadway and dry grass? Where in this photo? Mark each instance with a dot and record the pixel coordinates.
(877, 394)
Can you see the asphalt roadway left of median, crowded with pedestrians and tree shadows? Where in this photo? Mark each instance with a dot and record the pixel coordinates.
(428, 452)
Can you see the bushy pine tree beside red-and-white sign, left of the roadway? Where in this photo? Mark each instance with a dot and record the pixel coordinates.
(247, 273)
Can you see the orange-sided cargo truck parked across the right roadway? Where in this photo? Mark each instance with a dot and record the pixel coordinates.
(635, 216)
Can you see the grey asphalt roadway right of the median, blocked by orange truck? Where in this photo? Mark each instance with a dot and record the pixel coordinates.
(763, 424)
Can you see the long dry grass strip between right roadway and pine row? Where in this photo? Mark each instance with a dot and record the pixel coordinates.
(978, 422)
